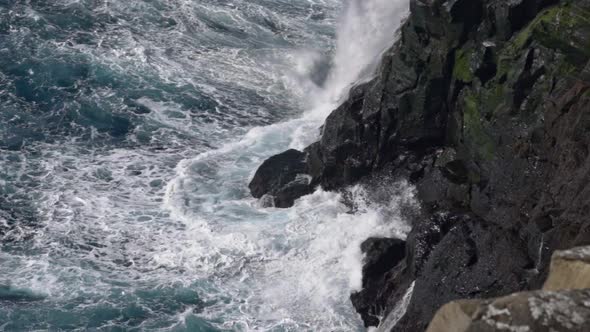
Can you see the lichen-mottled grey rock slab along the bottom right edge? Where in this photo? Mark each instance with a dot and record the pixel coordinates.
(539, 311)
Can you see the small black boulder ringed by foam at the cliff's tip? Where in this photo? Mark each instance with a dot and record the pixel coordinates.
(283, 177)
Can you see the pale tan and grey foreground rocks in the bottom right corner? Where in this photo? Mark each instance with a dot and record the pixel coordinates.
(563, 304)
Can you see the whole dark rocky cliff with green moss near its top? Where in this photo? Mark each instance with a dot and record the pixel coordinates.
(483, 105)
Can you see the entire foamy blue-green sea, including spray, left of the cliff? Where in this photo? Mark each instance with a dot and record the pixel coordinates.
(129, 130)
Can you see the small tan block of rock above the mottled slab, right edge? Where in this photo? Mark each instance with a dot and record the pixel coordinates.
(570, 269)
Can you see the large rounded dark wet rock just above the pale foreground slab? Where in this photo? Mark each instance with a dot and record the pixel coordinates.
(470, 259)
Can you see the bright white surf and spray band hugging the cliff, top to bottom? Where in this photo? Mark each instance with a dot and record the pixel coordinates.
(298, 265)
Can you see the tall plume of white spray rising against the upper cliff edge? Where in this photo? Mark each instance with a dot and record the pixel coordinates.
(365, 30)
